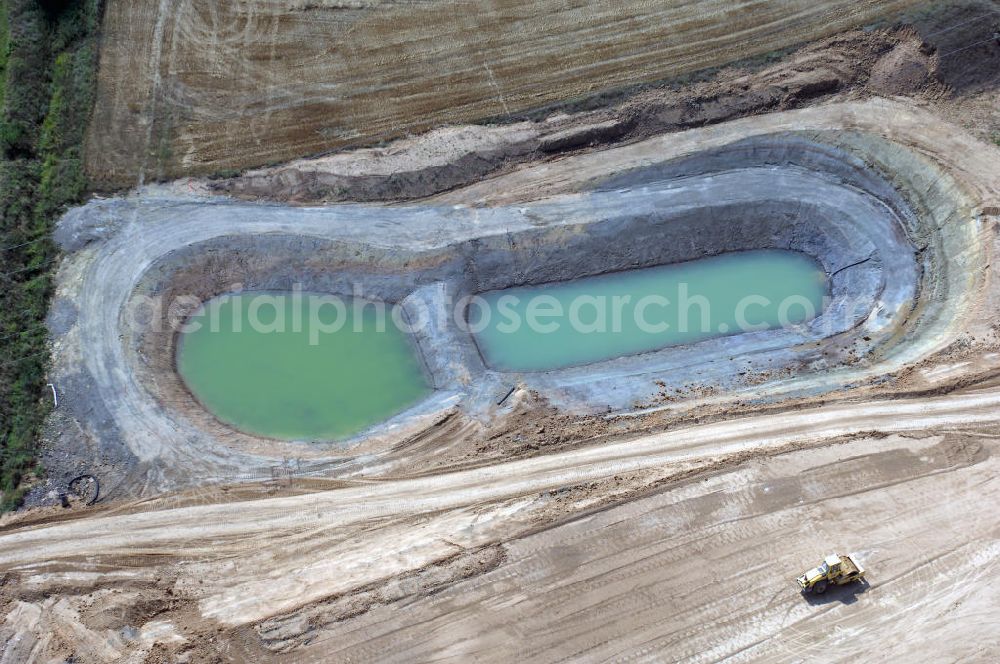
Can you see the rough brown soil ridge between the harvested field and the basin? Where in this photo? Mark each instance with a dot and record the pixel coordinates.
(854, 64)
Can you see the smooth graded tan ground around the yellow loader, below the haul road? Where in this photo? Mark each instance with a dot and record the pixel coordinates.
(701, 572)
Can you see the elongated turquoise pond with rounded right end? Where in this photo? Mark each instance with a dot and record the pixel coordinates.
(587, 320)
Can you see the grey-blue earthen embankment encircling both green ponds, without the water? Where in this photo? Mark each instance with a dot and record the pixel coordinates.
(131, 240)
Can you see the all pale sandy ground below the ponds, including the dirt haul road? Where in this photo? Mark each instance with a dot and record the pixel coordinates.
(699, 570)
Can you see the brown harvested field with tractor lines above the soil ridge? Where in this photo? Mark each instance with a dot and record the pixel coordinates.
(201, 86)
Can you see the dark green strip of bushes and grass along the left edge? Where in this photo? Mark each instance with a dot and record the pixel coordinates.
(48, 55)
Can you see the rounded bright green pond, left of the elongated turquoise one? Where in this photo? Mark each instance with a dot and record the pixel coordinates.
(247, 361)
